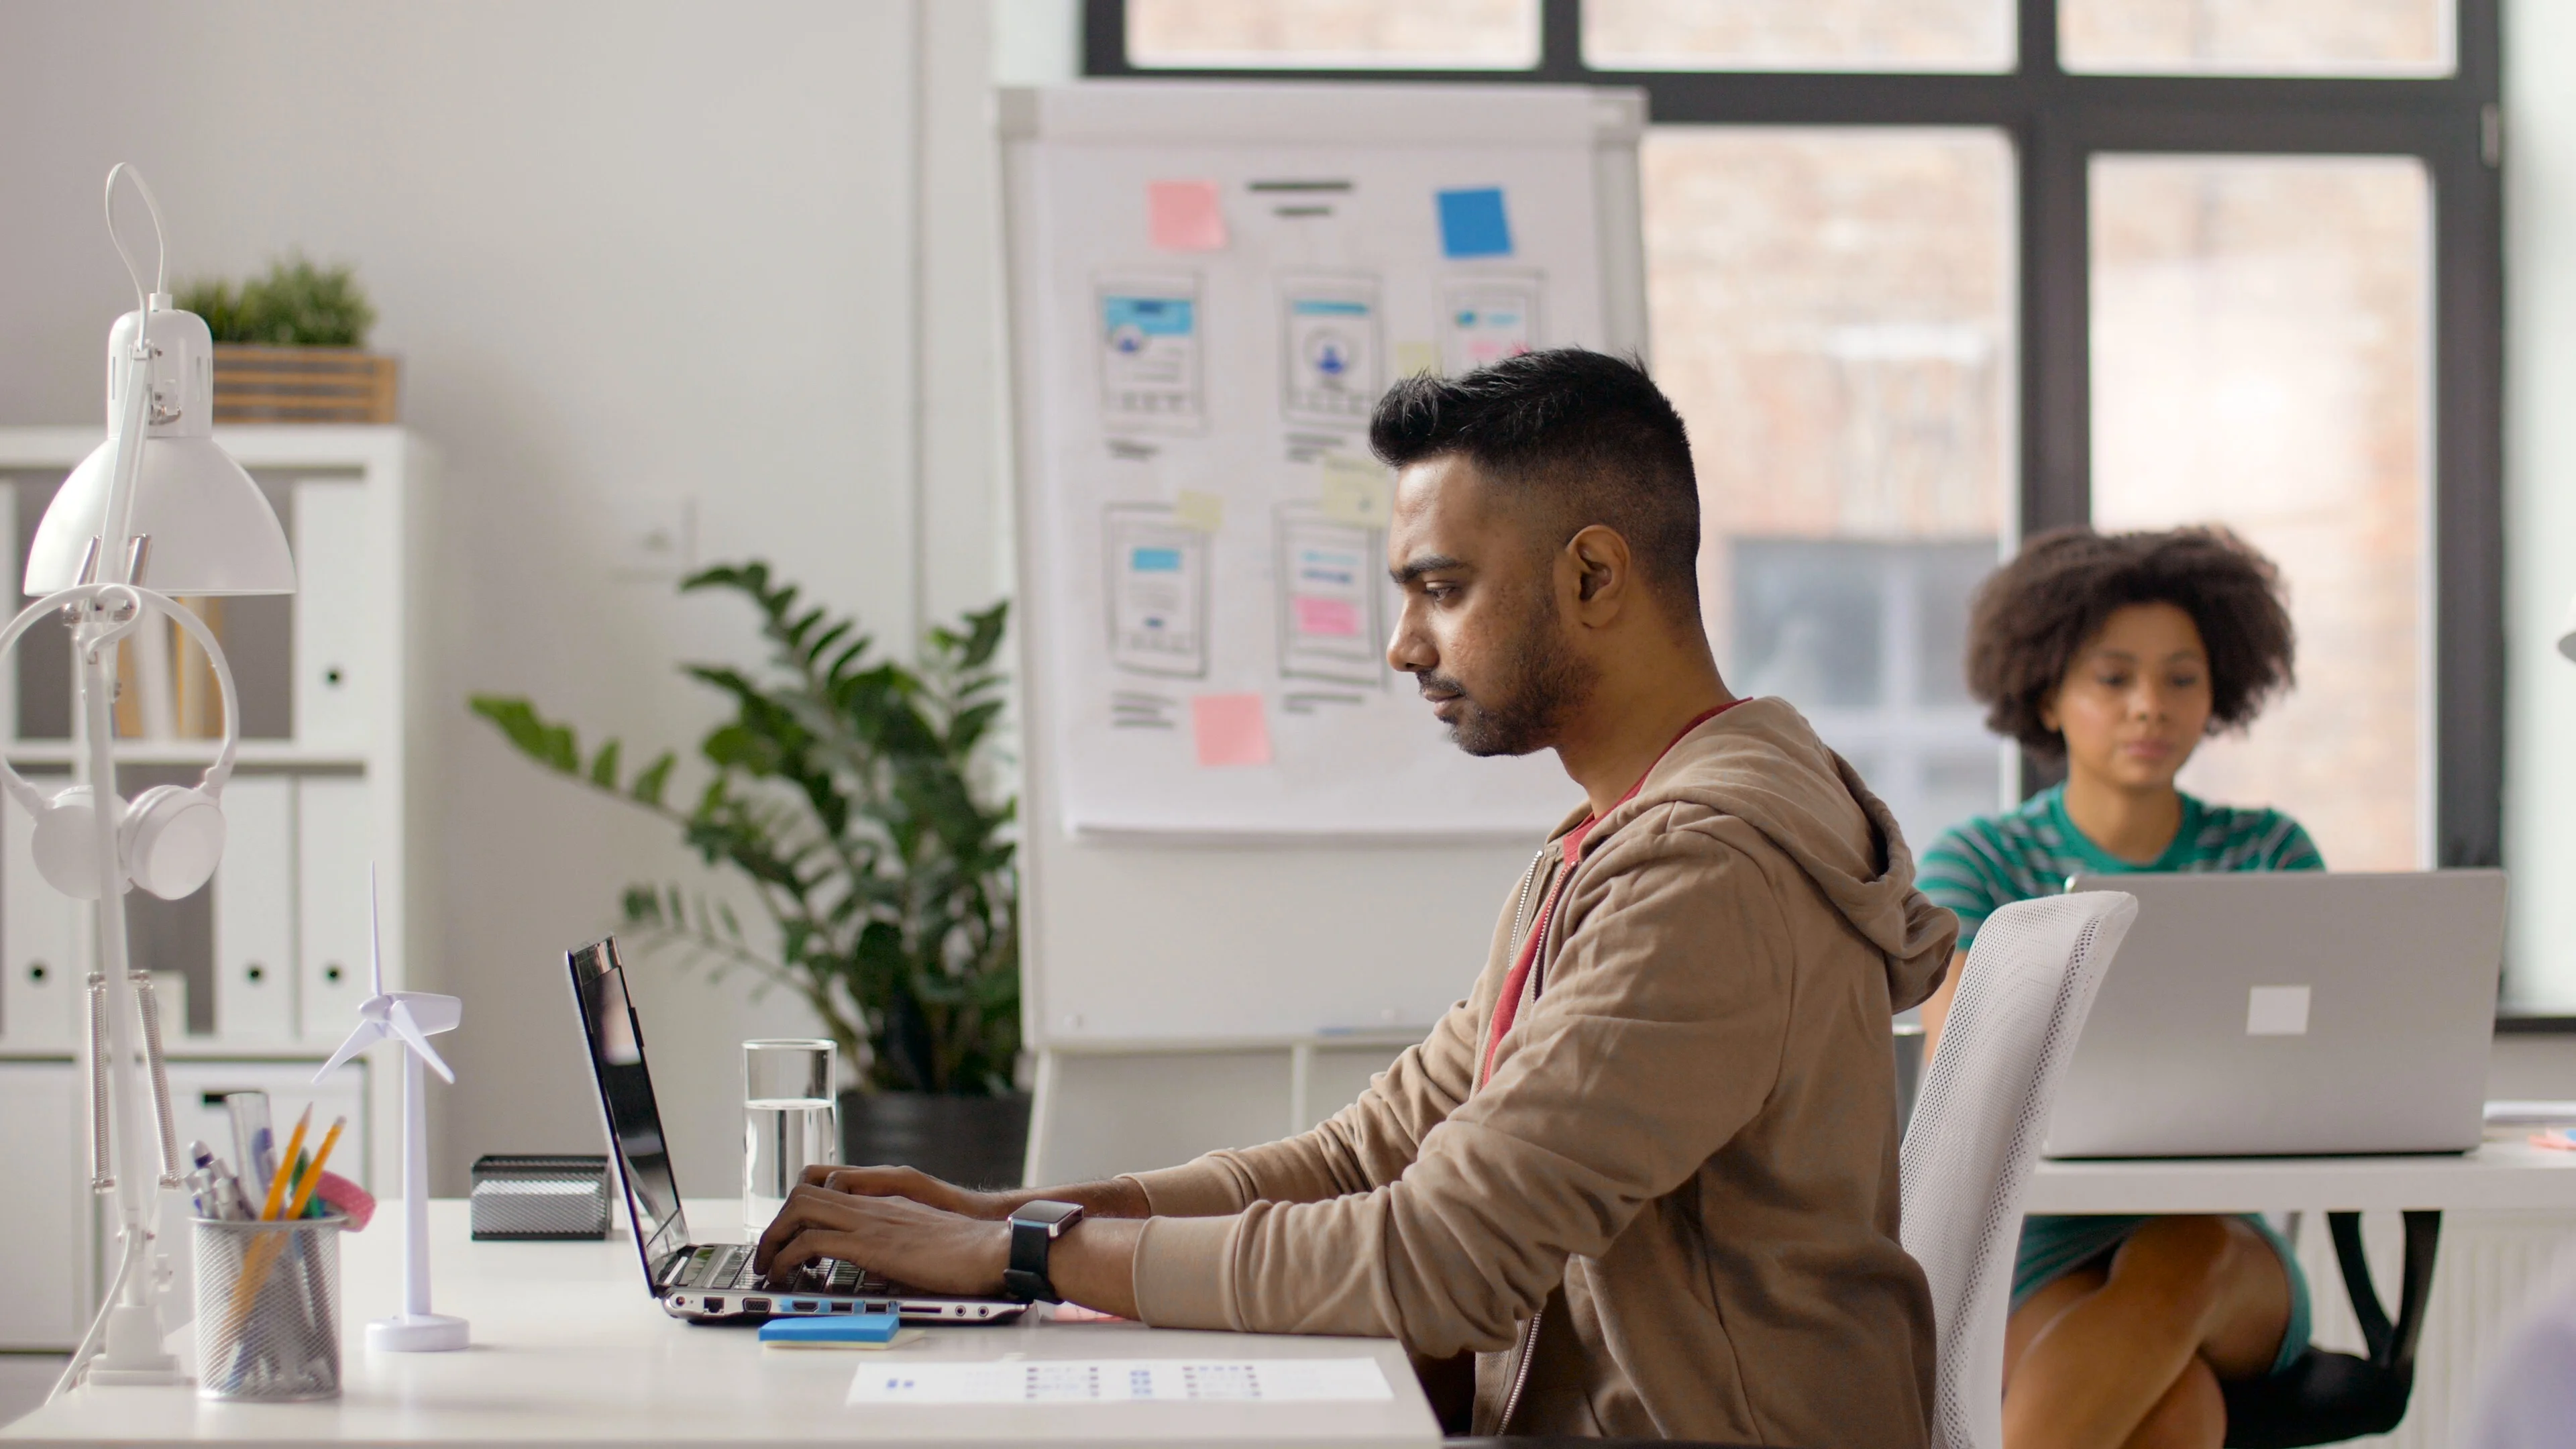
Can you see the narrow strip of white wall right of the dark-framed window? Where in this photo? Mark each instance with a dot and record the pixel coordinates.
(2541, 499)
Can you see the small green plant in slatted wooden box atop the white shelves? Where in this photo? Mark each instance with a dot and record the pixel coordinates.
(290, 347)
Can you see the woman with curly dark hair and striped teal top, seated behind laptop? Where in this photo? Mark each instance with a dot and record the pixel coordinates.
(2119, 654)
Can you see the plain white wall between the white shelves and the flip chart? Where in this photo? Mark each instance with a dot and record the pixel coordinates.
(630, 254)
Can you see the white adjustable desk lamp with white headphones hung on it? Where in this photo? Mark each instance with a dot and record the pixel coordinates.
(158, 501)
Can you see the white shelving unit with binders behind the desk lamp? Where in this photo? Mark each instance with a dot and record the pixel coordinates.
(274, 953)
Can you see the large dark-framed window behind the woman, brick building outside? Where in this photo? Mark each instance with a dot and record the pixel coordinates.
(1928, 277)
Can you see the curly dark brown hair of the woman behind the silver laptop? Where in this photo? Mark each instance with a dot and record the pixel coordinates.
(2034, 618)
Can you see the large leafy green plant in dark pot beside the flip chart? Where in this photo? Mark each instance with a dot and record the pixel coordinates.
(854, 798)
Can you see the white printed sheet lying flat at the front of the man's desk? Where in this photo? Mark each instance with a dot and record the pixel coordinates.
(1124, 1381)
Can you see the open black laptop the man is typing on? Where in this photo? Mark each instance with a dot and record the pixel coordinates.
(712, 1283)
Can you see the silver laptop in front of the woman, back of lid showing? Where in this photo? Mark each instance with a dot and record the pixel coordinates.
(2278, 1015)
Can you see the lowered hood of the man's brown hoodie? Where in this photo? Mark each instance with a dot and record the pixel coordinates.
(1763, 764)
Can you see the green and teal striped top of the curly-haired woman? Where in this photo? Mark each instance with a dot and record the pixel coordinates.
(1985, 865)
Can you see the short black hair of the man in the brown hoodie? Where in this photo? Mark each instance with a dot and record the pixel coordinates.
(1586, 434)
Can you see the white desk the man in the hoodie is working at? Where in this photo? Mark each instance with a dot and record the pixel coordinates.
(568, 1347)
